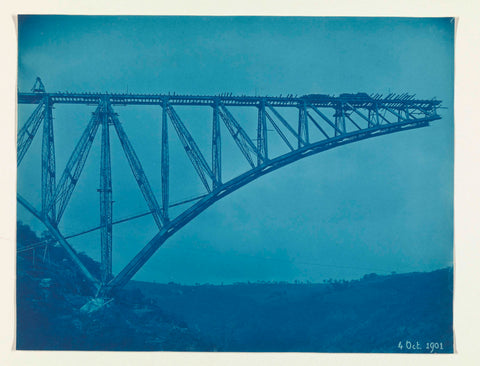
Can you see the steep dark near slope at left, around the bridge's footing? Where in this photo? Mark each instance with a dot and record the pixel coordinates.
(50, 295)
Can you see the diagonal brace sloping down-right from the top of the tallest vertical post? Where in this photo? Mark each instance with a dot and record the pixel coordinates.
(138, 171)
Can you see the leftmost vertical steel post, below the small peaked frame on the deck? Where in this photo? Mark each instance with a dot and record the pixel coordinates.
(48, 163)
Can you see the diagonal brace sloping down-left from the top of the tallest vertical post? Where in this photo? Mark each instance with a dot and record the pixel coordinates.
(75, 165)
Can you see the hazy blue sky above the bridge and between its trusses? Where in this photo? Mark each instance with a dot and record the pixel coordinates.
(379, 205)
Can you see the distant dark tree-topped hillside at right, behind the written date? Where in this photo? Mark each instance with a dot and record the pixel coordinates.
(370, 315)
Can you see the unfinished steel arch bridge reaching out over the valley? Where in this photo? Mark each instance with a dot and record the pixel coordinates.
(321, 122)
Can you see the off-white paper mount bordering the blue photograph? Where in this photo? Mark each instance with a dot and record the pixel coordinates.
(467, 189)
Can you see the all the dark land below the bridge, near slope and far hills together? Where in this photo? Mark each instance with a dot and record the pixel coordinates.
(395, 313)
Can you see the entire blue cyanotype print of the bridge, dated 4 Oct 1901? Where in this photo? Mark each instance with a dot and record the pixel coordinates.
(235, 184)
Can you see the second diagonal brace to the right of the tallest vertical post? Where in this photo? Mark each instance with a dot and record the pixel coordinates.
(192, 150)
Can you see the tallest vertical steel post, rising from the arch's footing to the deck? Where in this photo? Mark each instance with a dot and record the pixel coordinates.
(105, 197)
